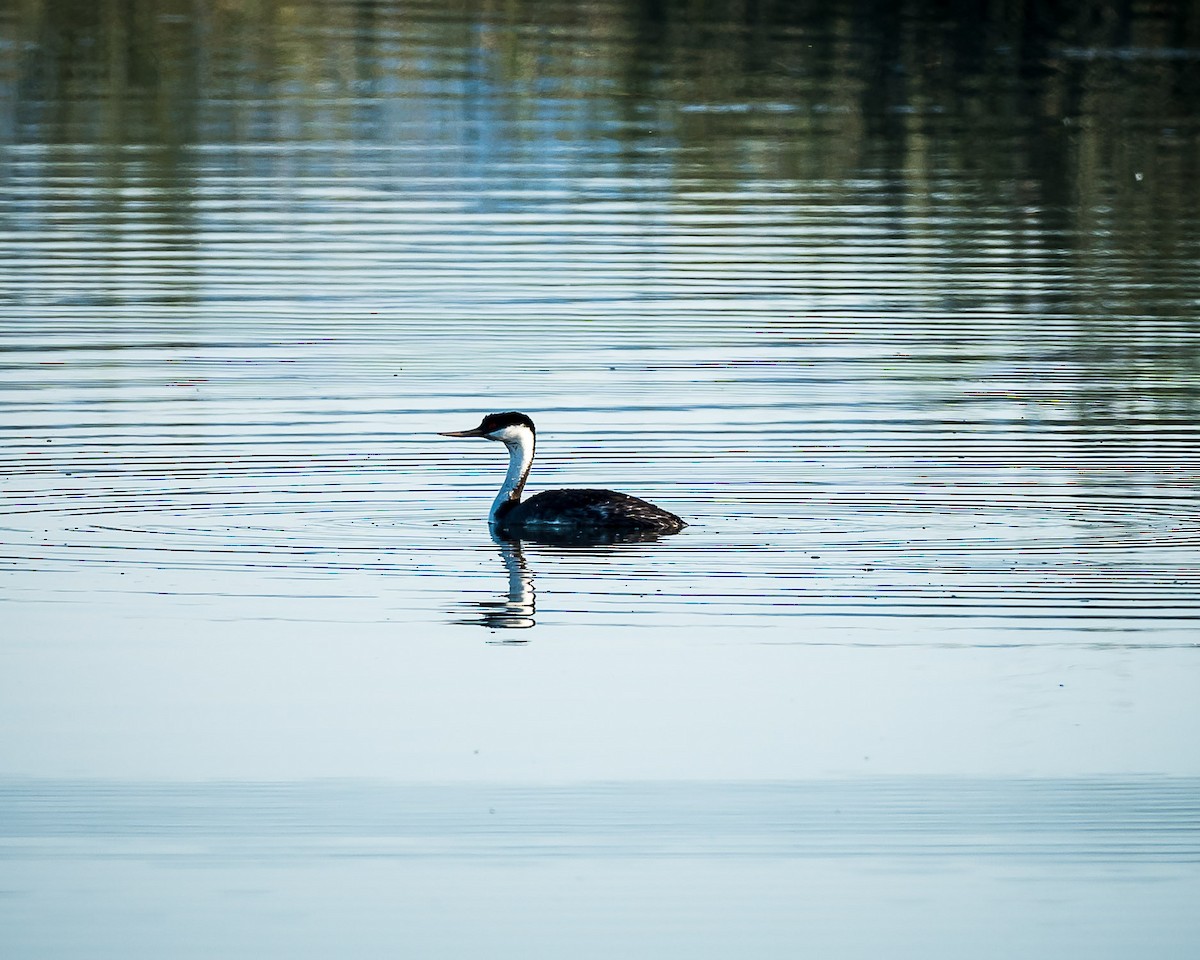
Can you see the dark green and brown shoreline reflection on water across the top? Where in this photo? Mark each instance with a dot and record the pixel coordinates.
(1053, 152)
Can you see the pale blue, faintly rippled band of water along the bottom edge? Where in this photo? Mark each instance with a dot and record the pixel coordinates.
(895, 866)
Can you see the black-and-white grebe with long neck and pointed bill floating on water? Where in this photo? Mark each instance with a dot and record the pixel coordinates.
(603, 513)
